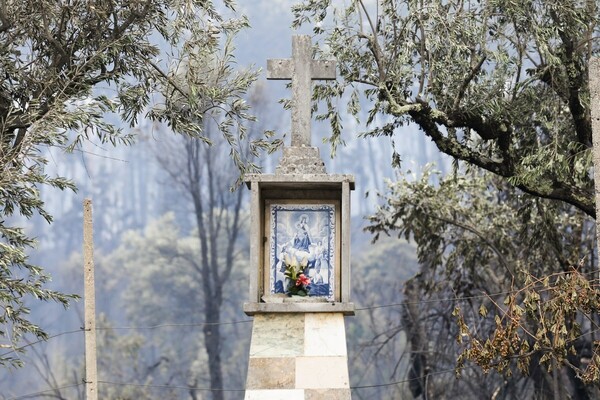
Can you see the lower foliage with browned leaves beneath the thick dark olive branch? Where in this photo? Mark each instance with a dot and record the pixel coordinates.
(478, 239)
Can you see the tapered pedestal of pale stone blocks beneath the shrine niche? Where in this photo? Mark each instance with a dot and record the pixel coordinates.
(298, 356)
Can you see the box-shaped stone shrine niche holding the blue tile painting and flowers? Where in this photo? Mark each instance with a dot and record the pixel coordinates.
(301, 220)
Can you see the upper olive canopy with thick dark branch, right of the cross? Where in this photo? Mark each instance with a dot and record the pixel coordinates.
(492, 83)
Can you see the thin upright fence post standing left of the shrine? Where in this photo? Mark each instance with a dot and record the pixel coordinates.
(91, 378)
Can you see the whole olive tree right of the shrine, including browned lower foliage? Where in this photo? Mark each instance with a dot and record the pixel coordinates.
(502, 88)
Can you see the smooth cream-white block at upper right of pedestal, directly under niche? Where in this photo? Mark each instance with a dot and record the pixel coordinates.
(325, 335)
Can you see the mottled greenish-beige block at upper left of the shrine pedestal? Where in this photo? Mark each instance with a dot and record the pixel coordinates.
(277, 335)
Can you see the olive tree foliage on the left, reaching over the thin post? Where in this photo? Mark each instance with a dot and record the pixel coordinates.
(75, 71)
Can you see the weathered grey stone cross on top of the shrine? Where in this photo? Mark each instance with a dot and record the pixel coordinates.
(301, 69)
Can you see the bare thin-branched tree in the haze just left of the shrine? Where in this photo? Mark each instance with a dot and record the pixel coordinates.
(217, 220)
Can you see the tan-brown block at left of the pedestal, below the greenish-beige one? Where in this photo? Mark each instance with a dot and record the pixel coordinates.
(271, 373)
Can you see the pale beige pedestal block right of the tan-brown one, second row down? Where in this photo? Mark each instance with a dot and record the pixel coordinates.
(322, 373)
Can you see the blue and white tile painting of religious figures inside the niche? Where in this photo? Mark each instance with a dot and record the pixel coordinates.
(304, 233)
